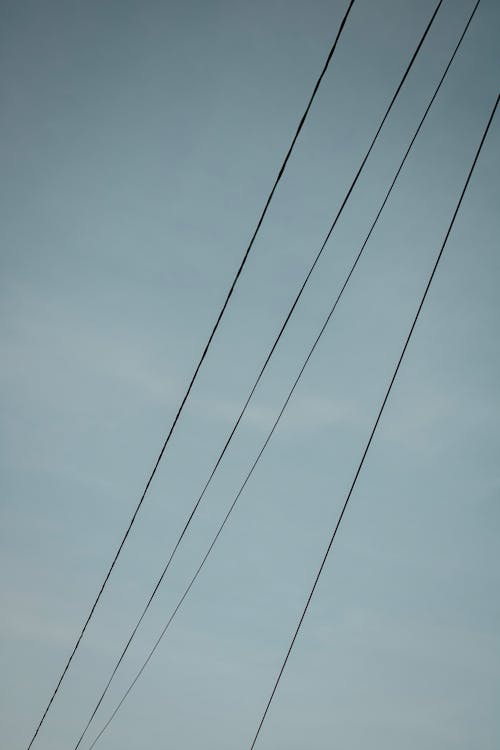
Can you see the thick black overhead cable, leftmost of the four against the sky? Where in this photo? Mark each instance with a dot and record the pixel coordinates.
(200, 362)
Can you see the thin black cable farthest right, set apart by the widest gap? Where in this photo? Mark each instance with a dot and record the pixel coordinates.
(367, 447)
